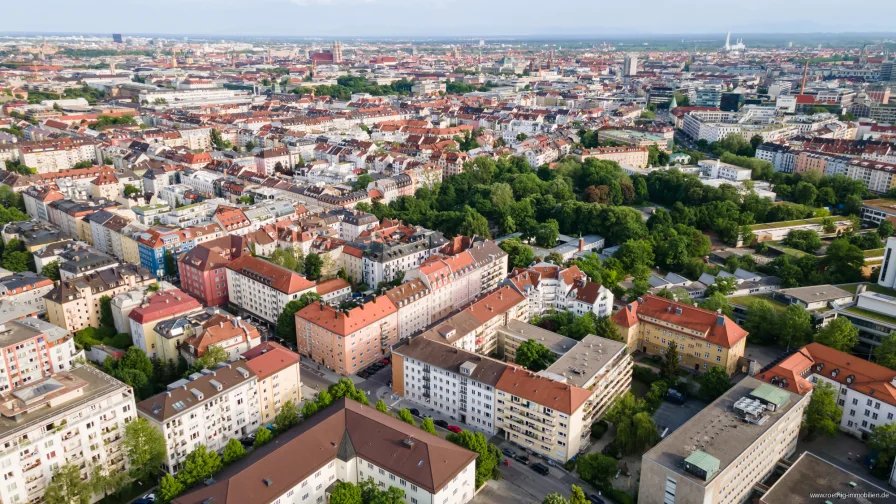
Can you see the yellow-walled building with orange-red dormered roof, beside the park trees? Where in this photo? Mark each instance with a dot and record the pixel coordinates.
(705, 338)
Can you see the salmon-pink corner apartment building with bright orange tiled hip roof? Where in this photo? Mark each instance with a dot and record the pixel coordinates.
(347, 341)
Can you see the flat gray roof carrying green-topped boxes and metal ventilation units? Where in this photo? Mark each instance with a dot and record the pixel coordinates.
(718, 431)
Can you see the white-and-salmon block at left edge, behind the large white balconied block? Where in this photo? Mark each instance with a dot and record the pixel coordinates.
(32, 350)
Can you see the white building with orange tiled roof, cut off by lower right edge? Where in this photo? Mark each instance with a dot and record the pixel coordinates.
(866, 392)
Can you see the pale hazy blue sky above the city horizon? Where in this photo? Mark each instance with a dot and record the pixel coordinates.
(422, 18)
